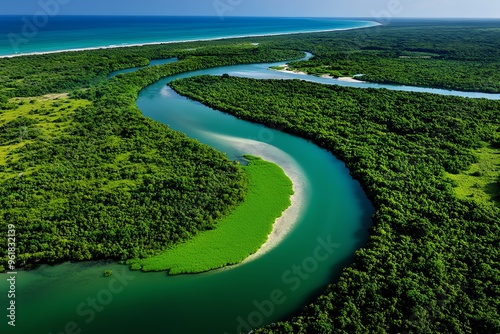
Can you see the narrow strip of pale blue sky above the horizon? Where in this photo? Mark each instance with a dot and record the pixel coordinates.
(302, 8)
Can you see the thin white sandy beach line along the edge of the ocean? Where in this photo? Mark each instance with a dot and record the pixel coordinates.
(105, 47)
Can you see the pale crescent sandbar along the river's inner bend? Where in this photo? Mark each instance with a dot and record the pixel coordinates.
(284, 224)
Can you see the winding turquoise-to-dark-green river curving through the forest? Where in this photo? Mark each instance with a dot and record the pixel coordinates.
(333, 221)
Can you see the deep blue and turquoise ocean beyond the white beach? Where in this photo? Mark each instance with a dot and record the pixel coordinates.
(44, 33)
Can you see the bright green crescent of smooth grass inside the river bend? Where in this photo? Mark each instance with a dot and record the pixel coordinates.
(236, 236)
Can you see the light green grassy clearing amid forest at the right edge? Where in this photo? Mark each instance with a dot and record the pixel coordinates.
(479, 182)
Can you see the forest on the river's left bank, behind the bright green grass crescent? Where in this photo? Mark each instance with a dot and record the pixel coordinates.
(90, 177)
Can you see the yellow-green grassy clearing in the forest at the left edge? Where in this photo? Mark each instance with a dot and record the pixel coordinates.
(42, 118)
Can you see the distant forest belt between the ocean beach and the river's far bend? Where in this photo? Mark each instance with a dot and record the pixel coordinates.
(463, 56)
